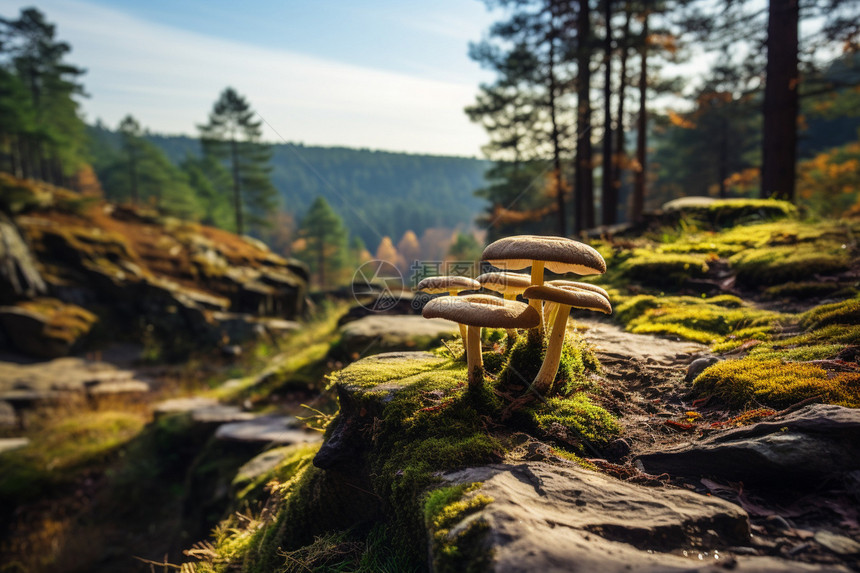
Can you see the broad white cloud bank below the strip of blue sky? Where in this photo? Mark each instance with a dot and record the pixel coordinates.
(169, 78)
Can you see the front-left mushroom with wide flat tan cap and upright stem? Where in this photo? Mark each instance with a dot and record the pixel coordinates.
(477, 311)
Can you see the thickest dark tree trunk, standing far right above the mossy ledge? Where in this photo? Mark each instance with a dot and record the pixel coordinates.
(779, 146)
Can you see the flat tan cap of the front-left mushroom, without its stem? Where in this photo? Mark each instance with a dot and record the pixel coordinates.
(482, 310)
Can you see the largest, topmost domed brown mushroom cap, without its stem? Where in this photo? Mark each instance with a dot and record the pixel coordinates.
(561, 255)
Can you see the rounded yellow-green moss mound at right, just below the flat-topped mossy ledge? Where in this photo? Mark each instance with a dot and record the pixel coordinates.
(779, 264)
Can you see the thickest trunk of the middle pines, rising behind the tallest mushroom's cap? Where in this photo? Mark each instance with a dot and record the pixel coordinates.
(584, 174)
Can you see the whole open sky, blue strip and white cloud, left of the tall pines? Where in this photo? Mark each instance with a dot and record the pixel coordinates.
(386, 74)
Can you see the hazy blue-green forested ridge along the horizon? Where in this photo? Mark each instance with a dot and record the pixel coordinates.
(377, 193)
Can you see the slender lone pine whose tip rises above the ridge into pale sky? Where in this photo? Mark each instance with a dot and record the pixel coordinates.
(233, 136)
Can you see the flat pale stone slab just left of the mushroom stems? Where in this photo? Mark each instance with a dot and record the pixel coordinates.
(377, 333)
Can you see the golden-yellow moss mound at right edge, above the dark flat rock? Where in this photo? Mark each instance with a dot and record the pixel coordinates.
(775, 383)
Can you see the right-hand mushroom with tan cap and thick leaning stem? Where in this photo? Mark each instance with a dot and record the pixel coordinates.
(565, 298)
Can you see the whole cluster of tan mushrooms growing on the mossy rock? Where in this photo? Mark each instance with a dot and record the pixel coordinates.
(553, 299)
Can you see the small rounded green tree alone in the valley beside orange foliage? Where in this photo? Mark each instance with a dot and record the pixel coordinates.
(324, 241)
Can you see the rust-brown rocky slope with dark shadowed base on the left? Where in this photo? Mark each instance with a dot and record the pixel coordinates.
(179, 281)
